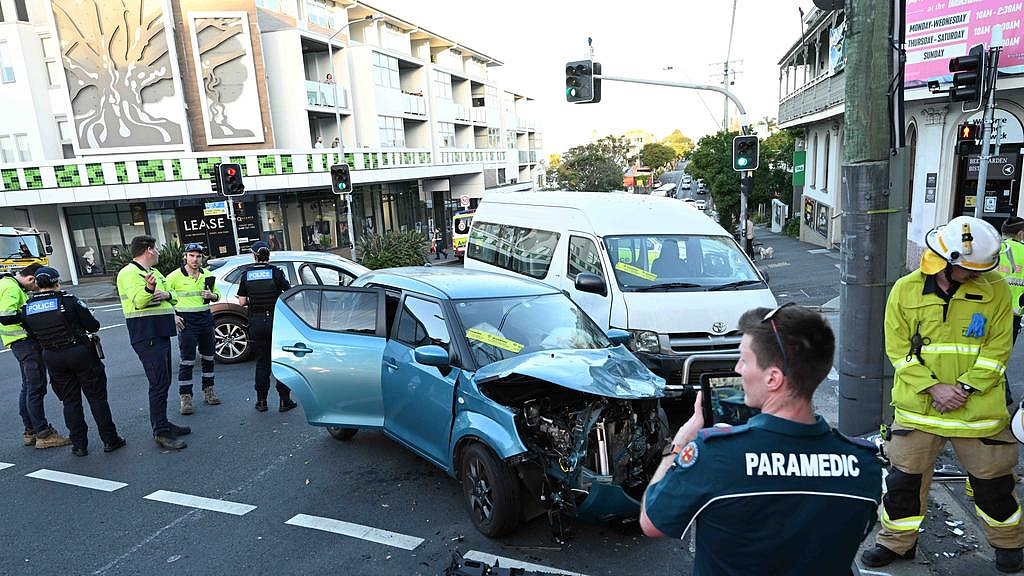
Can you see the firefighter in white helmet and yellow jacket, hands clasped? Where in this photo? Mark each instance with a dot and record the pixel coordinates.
(949, 335)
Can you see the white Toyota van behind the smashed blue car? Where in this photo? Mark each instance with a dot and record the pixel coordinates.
(654, 267)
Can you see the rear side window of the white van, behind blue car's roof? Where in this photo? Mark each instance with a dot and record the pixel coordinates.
(524, 251)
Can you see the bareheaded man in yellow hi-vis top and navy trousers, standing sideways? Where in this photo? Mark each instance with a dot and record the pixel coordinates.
(147, 305)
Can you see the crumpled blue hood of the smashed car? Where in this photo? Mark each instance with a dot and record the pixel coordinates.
(610, 373)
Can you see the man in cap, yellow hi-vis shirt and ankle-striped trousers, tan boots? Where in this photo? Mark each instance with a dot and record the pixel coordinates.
(194, 287)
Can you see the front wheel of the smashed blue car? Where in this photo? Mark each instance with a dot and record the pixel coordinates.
(490, 490)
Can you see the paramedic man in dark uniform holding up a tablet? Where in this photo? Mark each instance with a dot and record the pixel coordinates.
(784, 493)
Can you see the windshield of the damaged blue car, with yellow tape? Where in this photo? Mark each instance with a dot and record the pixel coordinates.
(500, 328)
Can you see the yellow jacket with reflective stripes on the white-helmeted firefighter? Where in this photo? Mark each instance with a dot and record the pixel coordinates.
(948, 356)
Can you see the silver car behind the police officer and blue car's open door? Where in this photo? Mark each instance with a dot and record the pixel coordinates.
(232, 320)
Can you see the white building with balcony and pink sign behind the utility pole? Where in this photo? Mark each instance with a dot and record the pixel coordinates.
(943, 182)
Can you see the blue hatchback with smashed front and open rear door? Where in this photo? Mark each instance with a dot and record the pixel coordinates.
(503, 383)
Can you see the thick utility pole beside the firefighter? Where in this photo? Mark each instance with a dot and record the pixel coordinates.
(872, 217)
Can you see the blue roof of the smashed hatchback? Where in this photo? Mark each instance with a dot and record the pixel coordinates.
(455, 283)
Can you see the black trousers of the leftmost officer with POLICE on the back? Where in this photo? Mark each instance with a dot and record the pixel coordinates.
(76, 372)
